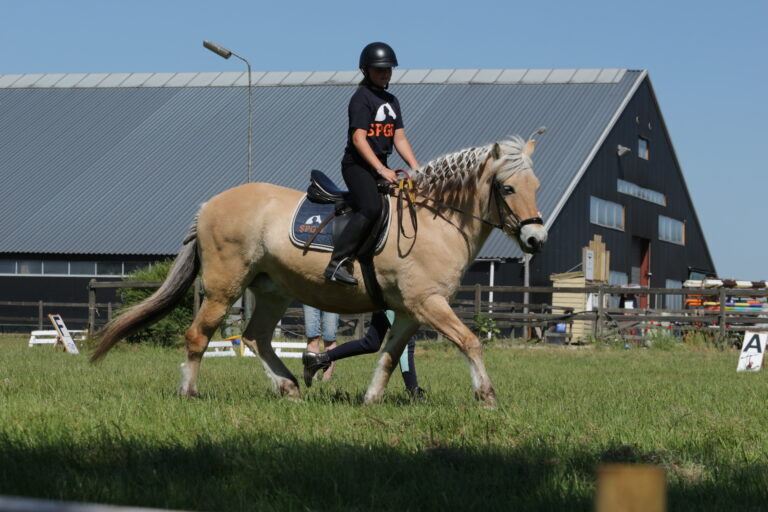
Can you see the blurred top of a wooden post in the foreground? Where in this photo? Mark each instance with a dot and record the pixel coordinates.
(630, 488)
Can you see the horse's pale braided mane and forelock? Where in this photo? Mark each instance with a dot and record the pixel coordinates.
(454, 173)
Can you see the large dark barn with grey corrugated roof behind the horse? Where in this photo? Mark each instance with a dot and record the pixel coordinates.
(102, 173)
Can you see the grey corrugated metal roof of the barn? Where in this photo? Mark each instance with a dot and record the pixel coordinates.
(119, 163)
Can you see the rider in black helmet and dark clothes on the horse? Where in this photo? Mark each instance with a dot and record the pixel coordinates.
(375, 126)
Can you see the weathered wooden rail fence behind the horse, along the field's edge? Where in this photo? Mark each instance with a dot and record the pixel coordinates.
(474, 306)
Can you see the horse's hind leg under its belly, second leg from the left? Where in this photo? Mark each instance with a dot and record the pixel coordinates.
(268, 311)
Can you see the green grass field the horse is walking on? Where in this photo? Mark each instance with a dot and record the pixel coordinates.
(116, 432)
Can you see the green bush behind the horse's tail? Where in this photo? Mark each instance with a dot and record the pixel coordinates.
(167, 331)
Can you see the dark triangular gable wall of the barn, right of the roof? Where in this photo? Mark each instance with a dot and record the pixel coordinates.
(572, 229)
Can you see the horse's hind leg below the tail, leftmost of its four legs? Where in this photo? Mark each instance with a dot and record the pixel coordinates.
(197, 337)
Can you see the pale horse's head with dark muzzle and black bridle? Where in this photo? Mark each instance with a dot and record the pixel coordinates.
(514, 193)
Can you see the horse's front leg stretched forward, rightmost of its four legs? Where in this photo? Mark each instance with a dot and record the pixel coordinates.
(438, 313)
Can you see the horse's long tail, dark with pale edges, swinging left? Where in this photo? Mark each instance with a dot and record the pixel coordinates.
(159, 304)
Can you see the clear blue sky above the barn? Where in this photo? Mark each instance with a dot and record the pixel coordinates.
(707, 62)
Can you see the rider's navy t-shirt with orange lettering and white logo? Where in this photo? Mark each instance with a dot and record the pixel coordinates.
(377, 112)
